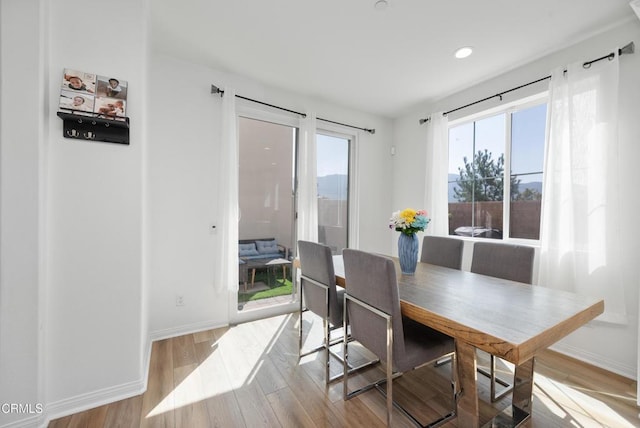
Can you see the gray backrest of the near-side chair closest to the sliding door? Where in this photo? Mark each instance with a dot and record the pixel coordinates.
(316, 262)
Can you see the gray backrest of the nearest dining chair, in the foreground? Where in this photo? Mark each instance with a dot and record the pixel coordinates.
(372, 279)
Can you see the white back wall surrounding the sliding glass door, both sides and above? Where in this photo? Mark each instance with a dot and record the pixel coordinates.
(183, 188)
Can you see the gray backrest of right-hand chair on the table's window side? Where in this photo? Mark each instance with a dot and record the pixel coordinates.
(513, 262)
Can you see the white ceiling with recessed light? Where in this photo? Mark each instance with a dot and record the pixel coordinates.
(382, 62)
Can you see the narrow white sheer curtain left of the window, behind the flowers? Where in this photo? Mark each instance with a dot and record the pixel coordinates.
(436, 198)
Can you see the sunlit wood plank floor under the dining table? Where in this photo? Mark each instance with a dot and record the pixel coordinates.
(249, 375)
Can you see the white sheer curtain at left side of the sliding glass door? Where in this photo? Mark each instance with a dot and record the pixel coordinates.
(227, 276)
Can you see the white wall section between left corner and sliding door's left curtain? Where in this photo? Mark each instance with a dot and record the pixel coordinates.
(184, 136)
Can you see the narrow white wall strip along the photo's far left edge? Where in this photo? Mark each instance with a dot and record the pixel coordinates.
(22, 121)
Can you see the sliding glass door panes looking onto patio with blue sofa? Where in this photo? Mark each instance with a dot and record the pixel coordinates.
(267, 206)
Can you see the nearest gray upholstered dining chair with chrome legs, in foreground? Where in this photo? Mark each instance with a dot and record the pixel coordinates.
(372, 310)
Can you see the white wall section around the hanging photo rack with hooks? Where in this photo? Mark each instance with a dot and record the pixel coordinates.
(95, 316)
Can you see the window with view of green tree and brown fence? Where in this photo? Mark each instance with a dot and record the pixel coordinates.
(494, 159)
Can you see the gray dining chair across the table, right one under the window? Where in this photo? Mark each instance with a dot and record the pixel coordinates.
(512, 262)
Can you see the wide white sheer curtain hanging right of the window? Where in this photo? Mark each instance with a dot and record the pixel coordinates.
(580, 237)
